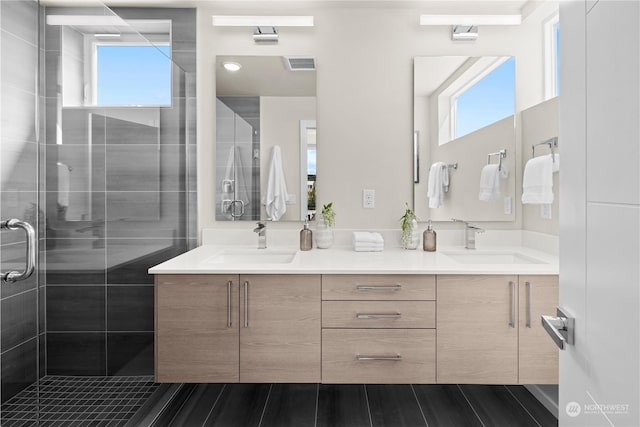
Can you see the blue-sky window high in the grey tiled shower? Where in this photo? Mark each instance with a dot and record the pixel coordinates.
(130, 74)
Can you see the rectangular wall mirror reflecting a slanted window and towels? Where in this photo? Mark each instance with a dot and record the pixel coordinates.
(464, 118)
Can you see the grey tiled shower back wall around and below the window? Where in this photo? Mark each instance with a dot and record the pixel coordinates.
(131, 205)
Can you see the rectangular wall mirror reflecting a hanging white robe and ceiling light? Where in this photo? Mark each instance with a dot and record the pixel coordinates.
(265, 138)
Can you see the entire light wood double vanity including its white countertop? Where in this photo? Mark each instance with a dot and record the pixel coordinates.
(338, 316)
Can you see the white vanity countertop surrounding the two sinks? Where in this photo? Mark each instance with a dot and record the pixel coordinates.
(343, 260)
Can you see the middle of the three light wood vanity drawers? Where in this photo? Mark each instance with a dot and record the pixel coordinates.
(379, 314)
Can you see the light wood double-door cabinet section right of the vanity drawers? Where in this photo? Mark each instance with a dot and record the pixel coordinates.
(483, 337)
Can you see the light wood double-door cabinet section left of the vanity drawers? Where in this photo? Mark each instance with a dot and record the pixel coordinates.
(230, 328)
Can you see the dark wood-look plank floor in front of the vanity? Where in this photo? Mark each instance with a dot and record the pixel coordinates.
(301, 405)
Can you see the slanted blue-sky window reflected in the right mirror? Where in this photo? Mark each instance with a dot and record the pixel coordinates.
(488, 99)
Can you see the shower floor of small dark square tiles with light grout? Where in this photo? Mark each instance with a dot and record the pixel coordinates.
(78, 401)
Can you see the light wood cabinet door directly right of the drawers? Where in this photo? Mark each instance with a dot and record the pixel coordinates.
(477, 335)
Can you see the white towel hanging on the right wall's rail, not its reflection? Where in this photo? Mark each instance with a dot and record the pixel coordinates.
(537, 182)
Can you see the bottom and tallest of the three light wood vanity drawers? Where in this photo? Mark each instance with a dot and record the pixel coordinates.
(380, 356)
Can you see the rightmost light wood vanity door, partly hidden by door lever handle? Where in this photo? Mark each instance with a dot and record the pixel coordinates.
(538, 354)
